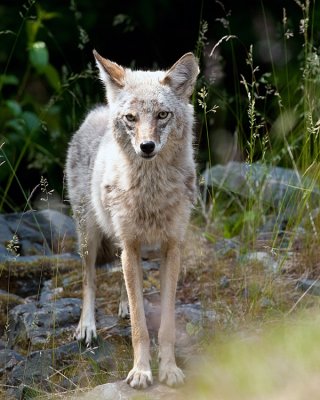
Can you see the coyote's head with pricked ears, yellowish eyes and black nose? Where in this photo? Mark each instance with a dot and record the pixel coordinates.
(149, 109)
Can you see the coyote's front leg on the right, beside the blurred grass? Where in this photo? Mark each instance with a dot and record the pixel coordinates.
(169, 273)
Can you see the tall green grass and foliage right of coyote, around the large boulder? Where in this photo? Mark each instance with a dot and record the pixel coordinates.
(275, 111)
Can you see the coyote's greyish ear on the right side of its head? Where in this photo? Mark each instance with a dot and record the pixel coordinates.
(182, 75)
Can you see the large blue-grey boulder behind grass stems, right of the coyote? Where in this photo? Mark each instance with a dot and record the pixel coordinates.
(281, 188)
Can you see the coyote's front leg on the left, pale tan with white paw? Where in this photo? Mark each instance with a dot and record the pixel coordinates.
(140, 376)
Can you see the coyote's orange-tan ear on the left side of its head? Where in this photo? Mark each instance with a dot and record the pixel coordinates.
(111, 74)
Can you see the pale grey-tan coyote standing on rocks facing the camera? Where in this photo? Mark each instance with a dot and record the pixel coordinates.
(131, 182)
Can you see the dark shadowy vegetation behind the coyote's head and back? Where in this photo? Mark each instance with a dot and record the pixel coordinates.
(45, 93)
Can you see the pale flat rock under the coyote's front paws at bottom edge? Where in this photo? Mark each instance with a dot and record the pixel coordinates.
(122, 391)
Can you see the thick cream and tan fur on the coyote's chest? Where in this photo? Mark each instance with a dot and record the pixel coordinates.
(147, 203)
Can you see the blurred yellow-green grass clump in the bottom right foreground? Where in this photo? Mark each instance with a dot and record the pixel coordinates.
(280, 363)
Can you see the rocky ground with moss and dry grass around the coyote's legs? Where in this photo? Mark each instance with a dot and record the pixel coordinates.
(222, 289)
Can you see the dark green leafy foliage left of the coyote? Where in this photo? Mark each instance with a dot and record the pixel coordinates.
(35, 104)
